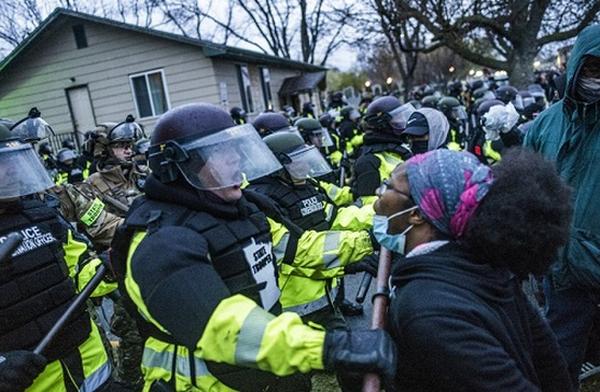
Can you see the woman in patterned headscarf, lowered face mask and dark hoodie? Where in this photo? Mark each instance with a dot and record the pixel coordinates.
(470, 234)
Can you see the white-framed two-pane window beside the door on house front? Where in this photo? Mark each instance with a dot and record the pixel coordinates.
(150, 93)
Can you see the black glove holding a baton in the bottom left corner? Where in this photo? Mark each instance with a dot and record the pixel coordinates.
(18, 369)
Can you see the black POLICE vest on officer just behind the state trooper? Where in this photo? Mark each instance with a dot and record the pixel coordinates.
(303, 204)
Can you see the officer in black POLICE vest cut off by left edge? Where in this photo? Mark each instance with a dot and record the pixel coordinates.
(39, 282)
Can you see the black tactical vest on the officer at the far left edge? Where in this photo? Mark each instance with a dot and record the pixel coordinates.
(35, 287)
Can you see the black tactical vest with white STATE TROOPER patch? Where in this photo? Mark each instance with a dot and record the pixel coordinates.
(228, 244)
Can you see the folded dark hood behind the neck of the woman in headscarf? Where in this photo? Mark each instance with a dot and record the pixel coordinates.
(451, 264)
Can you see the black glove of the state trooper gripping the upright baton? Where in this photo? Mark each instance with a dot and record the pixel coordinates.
(371, 351)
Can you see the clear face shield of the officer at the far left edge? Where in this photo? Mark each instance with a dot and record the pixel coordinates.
(21, 171)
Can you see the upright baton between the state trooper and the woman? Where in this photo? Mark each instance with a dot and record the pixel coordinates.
(371, 382)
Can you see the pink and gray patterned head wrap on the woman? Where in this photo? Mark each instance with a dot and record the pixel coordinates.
(448, 186)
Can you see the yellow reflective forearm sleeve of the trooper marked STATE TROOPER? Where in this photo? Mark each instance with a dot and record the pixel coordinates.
(241, 333)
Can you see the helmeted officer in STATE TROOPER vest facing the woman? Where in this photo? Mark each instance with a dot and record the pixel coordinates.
(199, 262)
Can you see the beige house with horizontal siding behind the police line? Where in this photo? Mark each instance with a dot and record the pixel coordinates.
(80, 70)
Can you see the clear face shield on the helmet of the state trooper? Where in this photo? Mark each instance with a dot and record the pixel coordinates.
(226, 158)
